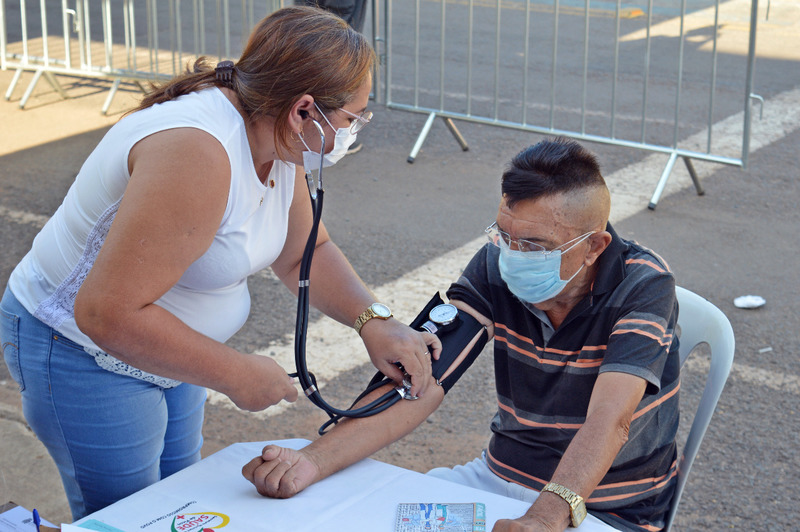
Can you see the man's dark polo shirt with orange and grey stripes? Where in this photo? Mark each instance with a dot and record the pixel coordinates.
(545, 377)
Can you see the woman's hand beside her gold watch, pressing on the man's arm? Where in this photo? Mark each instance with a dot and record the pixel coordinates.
(390, 341)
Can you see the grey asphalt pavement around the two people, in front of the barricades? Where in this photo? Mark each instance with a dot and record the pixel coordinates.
(391, 218)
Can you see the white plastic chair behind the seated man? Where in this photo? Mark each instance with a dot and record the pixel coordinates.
(701, 322)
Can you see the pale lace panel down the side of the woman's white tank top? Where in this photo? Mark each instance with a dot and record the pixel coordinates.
(60, 306)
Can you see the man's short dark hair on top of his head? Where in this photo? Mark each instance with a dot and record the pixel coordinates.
(553, 166)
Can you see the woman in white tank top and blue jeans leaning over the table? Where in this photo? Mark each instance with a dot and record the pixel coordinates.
(114, 323)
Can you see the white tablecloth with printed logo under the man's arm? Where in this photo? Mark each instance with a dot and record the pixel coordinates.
(212, 494)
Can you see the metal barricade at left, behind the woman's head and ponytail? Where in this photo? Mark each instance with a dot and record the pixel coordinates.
(119, 40)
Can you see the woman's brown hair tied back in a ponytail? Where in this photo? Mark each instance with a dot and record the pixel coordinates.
(294, 51)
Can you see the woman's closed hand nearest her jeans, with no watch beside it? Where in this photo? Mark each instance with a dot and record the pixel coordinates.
(261, 383)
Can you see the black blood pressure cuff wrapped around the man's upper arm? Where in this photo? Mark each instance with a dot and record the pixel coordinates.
(454, 342)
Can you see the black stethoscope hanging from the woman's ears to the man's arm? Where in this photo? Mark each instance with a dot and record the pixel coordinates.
(306, 378)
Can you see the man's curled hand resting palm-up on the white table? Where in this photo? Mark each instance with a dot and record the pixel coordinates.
(281, 473)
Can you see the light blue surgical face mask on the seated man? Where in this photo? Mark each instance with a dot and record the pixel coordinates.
(534, 276)
